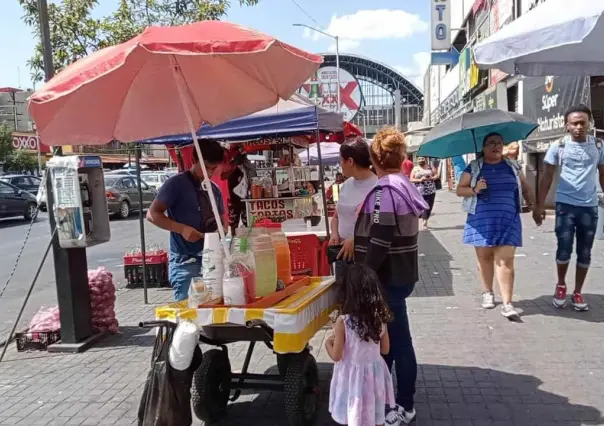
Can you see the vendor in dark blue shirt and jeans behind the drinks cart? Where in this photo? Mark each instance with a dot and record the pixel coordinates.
(184, 209)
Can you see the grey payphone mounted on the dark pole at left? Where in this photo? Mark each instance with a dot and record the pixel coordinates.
(80, 202)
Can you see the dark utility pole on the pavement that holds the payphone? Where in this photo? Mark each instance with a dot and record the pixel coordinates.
(71, 266)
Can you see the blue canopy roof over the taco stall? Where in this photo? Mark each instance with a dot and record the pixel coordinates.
(295, 116)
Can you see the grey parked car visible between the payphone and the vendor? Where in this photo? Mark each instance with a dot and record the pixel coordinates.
(122, 195)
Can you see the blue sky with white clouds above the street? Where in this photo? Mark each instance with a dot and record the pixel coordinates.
(393, 32)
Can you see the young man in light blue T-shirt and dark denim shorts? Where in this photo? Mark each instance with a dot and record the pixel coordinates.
(579, 157)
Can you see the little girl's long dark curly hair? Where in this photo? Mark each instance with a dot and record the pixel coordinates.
(361, 298)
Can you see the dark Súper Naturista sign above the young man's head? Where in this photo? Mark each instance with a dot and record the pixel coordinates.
(546, 99)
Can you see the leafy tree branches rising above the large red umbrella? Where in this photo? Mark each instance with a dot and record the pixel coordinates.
(75, 33)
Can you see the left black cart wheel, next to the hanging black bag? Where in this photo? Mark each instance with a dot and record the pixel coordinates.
(211, 386)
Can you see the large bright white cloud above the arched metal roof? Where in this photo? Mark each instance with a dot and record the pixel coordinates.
(376, 25)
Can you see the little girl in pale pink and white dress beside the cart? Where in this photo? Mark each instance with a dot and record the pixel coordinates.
(361, 385)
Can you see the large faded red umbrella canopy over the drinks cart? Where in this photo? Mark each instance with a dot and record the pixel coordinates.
(130, 92)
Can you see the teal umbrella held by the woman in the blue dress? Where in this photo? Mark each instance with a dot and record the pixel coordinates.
(464, 134)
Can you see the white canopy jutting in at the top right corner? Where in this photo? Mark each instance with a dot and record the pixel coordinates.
(558, 37)
